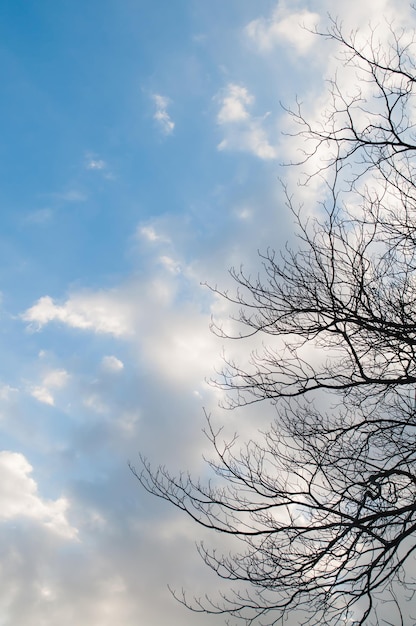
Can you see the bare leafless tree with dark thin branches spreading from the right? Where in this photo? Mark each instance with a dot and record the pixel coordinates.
(322, 506)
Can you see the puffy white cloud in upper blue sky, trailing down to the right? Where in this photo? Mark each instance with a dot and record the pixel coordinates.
(242, 131)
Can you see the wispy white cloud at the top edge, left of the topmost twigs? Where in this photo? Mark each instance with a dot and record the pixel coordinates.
(283, 27)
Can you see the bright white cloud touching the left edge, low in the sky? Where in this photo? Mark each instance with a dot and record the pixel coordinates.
(19, 496)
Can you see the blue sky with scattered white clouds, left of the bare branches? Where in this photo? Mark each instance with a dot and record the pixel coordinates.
(141, 153)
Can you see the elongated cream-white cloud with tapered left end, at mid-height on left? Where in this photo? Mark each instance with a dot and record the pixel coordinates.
(102, 312)
